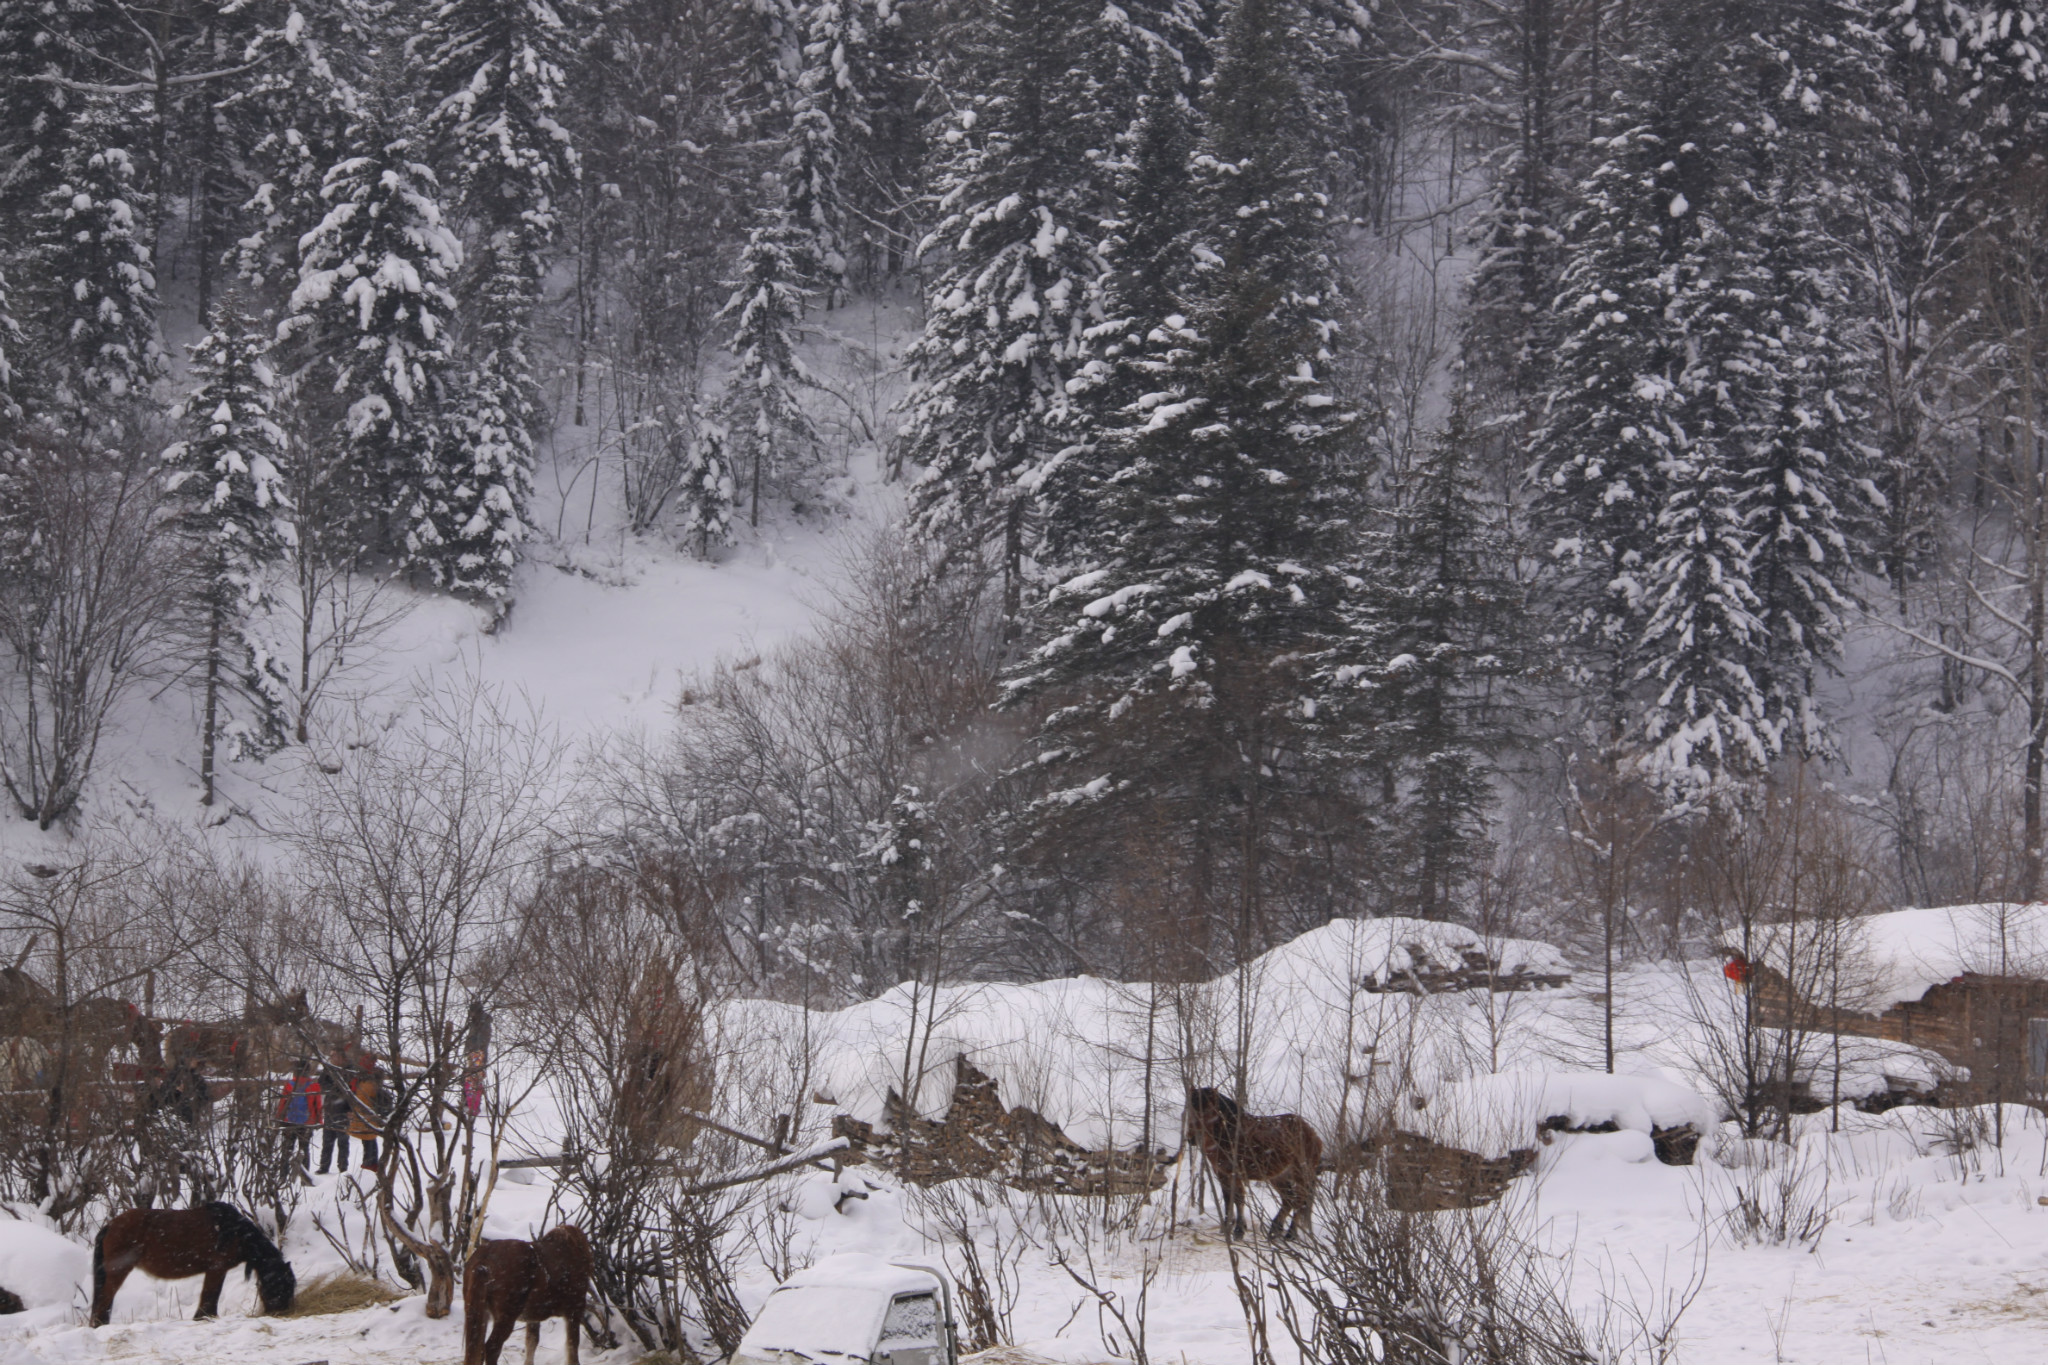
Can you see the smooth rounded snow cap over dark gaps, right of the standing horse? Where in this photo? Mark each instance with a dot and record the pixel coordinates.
(1498, 1114)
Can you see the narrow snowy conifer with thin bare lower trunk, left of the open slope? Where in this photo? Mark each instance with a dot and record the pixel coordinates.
(228, 484)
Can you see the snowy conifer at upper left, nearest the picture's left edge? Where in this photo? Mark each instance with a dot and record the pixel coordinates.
(91, 283)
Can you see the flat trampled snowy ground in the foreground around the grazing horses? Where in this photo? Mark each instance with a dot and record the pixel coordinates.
(1926, 1262)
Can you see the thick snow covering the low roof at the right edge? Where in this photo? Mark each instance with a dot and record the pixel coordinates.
(1900, 957)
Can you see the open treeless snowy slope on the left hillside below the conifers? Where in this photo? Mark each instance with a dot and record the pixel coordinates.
(601, 642)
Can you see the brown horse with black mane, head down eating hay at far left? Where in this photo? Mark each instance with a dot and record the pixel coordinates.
(181, 1243)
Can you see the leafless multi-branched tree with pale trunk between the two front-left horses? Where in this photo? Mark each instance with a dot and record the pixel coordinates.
(415, 861)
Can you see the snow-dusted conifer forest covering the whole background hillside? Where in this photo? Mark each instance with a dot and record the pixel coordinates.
(1334, 459)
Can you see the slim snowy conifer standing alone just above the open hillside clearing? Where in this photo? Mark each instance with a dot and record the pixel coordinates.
(769, 433)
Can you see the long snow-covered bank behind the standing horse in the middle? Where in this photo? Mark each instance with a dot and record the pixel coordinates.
(1326, 1032)
